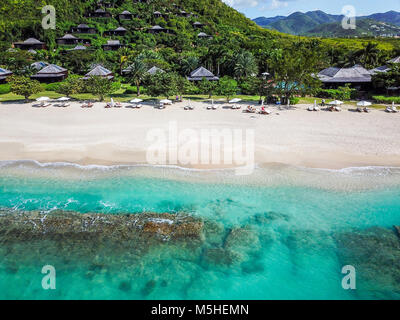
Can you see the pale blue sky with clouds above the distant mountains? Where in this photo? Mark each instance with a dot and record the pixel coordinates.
(270, 8)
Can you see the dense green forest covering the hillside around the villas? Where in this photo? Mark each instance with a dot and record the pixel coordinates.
(238, 49)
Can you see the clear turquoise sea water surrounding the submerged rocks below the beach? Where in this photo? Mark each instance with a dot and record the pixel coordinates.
(293, 252)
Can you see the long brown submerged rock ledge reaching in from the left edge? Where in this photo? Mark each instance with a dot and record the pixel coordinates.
(60, 225)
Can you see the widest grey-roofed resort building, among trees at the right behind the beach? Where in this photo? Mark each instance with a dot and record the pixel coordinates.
(356, 76)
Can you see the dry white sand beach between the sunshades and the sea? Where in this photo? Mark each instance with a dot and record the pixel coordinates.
(118, 135)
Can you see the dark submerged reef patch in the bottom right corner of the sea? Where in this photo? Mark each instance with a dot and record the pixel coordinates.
(375, 254)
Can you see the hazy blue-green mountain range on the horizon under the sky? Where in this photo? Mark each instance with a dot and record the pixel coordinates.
(319, 22)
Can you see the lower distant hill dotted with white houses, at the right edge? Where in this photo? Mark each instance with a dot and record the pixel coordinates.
(365, 28)
